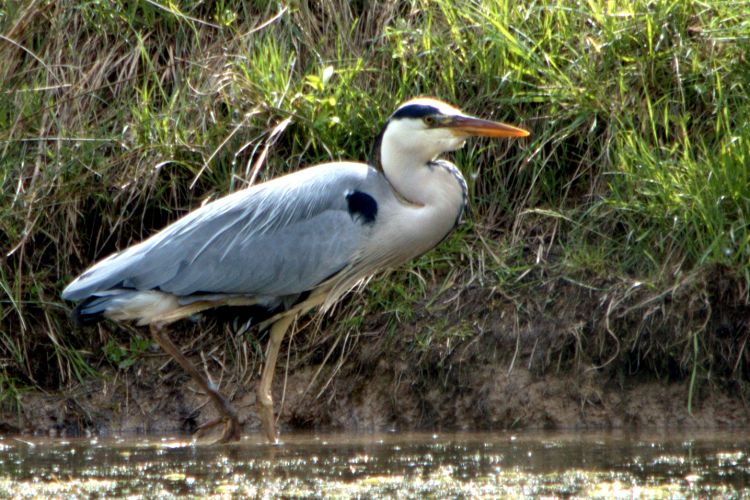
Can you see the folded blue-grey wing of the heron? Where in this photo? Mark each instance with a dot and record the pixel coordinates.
(282, 237)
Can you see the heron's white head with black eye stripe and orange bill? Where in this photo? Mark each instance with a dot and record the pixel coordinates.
(423, 128)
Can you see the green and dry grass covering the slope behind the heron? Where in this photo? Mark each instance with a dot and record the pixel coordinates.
(118, 117)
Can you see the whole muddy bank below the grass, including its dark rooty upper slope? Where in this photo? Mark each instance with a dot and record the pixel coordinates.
(478, 359)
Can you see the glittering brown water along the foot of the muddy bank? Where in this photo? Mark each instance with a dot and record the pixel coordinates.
(395, 465)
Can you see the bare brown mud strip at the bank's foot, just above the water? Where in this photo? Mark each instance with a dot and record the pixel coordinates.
(479, 397)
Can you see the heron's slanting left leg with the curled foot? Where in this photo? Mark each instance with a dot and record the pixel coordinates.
(232, 428)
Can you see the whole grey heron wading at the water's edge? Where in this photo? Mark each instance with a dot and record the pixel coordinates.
(293, 243)
